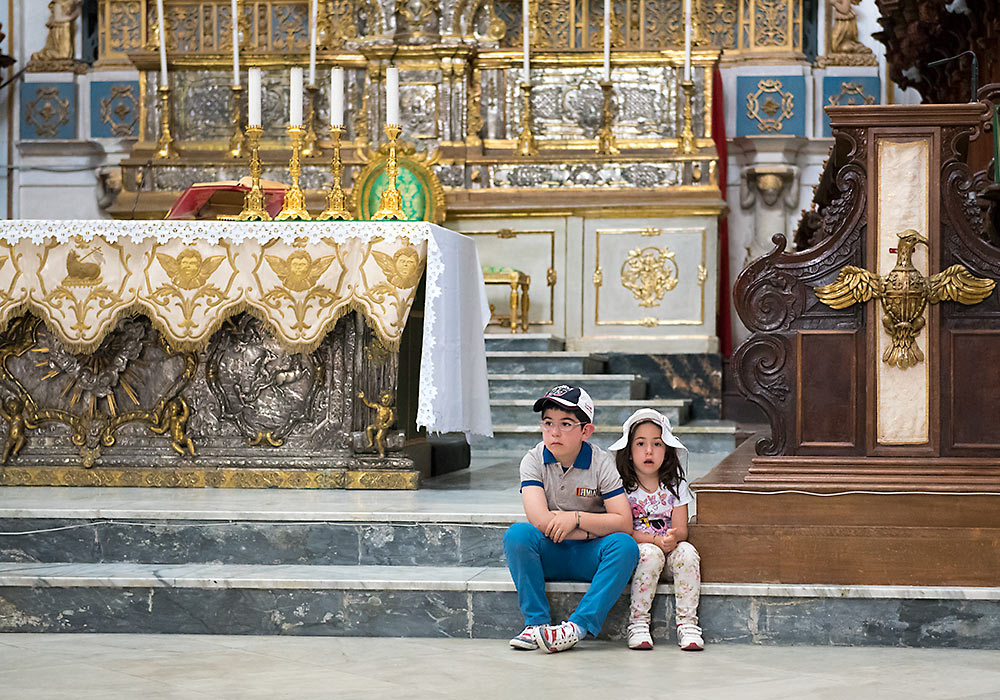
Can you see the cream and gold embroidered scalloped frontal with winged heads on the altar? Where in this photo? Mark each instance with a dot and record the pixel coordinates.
(81, 284)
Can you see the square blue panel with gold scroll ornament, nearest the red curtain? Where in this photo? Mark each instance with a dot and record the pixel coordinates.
(771, 105)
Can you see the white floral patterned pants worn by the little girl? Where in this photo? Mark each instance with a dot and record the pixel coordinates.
(685, 567)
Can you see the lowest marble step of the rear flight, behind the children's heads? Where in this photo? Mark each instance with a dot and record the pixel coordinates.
(702, 436)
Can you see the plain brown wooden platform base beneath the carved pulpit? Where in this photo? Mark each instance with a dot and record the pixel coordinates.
(851, 521)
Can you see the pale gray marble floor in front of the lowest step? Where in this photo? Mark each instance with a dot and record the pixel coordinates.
(159, 667)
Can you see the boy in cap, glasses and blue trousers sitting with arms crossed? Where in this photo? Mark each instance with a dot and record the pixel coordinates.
(578, 515)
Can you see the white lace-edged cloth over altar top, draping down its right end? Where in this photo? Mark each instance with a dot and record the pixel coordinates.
(454, 391)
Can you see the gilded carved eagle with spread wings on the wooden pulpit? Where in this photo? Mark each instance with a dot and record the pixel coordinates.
(904, 293)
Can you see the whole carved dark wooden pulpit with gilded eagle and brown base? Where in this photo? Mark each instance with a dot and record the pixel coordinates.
(876, 356)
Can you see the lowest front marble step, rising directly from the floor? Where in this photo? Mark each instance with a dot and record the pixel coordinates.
(466, 602)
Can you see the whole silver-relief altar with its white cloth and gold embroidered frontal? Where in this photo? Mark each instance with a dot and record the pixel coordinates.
(234, 354)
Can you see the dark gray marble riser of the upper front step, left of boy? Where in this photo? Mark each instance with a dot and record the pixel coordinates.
(427, 540)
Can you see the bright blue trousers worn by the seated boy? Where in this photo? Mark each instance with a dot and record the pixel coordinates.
(533, 559)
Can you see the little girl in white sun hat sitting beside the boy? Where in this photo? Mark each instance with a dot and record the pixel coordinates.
(651, 462)
